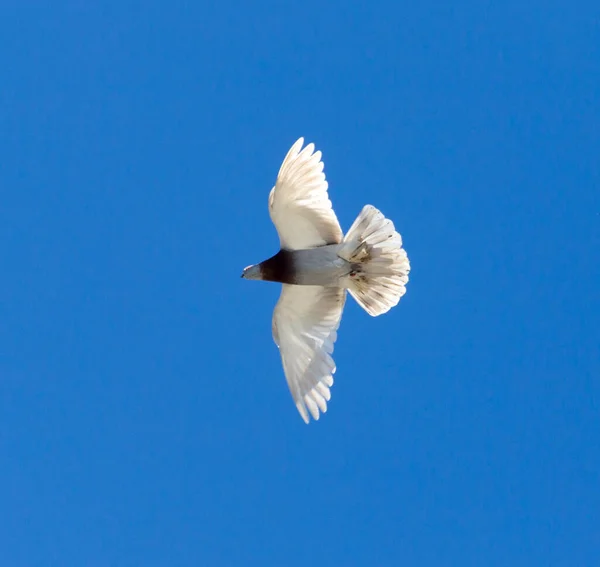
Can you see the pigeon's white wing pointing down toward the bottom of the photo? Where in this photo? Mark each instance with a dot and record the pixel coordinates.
(305, 323)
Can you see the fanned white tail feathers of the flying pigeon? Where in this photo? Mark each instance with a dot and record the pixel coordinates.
(379, 263)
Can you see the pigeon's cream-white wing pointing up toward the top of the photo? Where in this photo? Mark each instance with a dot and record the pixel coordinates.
(299, 205)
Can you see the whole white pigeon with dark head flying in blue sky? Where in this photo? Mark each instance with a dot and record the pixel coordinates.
(316, 265)
